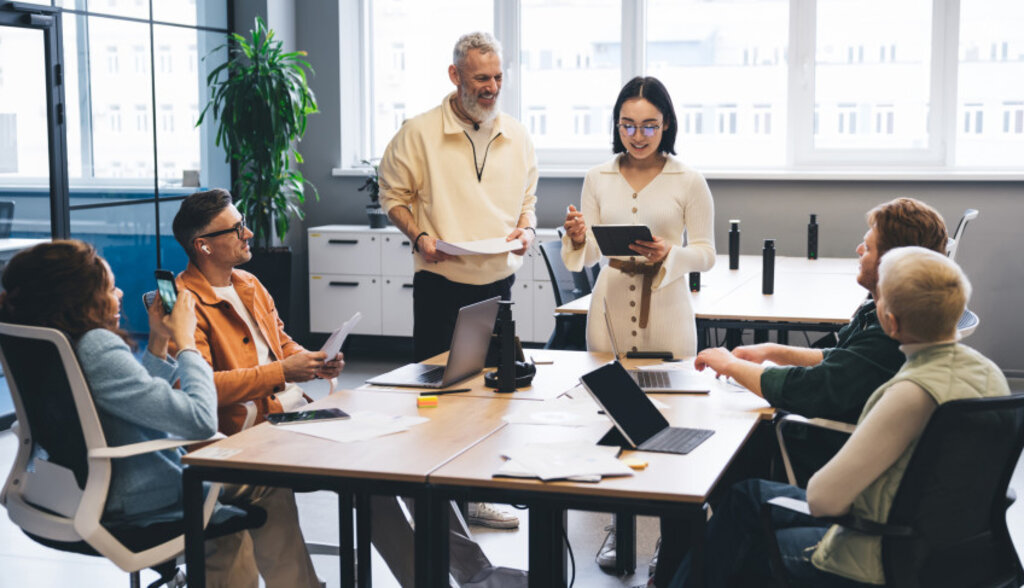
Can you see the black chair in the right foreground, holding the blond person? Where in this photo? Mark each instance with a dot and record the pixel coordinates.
(948, 525)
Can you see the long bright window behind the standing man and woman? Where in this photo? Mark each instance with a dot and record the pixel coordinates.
(758, 85)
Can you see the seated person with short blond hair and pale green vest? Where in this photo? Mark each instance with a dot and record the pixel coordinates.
(922, 295)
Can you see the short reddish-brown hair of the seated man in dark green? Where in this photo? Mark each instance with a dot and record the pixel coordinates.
(906, 222)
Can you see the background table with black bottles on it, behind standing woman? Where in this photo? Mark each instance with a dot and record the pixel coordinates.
(810, 295)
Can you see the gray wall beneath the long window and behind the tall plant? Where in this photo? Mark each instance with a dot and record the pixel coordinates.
(993, 255)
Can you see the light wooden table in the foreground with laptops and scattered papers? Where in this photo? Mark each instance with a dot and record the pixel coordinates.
(454, 455)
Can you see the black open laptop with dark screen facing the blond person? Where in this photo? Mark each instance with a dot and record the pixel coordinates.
(635, 416)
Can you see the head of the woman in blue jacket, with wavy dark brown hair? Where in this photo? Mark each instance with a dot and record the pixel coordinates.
(63, 285)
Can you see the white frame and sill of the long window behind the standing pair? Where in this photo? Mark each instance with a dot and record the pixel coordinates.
(803, 159)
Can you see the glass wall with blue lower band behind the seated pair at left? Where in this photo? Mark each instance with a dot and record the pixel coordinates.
(135, 83)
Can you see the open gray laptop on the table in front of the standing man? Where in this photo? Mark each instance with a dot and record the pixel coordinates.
(466, 357)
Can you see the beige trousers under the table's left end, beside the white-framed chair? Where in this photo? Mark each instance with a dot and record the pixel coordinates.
(277, 551)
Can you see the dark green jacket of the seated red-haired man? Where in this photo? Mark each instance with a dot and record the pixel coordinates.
(839, 387)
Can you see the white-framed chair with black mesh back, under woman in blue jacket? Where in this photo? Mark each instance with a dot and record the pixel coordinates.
(58, 486)
